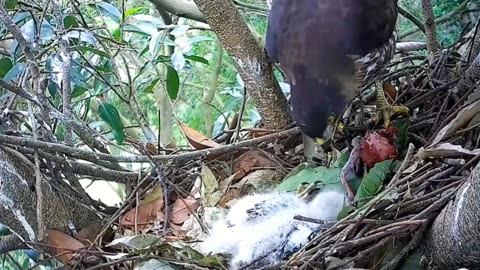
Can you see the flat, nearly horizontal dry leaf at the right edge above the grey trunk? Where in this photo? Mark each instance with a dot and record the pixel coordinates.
(446, 150)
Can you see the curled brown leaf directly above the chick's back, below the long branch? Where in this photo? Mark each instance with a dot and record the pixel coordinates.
(253, 158)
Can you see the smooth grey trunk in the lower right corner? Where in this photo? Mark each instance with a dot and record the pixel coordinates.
(454, 239)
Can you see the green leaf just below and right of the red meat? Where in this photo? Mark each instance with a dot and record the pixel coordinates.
(373, 181)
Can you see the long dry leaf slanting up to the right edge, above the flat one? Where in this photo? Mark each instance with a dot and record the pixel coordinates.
(461, 120)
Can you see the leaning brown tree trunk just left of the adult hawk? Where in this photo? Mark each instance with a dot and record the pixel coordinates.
(250, 60)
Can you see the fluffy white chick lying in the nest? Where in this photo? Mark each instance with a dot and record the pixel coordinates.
(259, 229)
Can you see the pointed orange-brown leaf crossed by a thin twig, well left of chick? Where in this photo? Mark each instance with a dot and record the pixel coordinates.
(147, 213)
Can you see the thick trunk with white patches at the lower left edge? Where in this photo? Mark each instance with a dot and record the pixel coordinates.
(18, 202)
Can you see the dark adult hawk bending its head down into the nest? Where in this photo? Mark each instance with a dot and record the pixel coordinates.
(328, 49)
